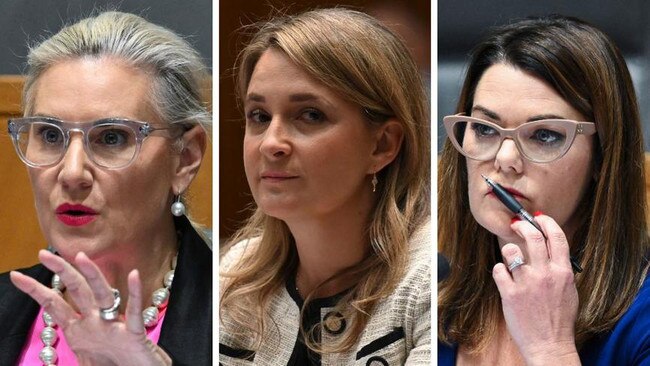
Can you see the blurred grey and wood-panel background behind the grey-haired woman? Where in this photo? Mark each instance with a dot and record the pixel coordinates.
(24, 22)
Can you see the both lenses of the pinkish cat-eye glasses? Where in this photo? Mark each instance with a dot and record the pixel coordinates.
(539, 141)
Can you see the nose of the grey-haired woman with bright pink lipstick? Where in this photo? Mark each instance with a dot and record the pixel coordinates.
(74, 171)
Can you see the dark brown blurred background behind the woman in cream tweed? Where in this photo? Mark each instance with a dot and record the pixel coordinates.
(410, 18)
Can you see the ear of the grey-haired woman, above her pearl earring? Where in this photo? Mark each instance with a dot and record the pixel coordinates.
(190, 156)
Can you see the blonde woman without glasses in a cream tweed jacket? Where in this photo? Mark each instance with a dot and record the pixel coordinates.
(334, 265)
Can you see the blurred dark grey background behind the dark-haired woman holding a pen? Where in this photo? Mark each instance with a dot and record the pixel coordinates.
(461, 24)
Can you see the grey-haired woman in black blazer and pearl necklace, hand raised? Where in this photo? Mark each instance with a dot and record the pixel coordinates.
(113, 133)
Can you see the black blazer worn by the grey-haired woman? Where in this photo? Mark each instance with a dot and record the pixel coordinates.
(186, 333)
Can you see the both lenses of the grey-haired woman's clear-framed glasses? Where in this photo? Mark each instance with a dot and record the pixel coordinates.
(110, 145)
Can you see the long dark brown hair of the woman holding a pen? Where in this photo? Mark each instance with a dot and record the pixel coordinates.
(585, 67)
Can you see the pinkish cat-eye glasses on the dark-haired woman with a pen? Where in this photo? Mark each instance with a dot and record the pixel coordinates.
(541, 141)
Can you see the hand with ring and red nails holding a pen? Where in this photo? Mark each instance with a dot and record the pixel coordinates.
(539, 297)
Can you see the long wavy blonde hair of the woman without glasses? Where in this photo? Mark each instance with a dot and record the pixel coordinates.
(358, 57)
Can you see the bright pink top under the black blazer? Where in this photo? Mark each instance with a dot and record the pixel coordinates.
(29, 356)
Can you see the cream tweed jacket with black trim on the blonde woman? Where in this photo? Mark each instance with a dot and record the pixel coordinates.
(398, 332)
